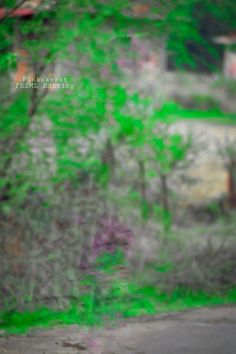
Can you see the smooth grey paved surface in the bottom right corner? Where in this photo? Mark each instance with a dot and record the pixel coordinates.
(191, 339)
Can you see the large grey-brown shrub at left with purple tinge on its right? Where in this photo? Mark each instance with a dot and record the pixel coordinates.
(49, 246)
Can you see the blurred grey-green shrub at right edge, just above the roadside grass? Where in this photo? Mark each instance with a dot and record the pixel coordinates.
(200, 258)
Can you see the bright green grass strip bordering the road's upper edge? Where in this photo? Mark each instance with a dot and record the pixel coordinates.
(144, 301)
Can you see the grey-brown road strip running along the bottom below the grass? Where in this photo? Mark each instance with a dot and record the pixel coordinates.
(202, 331)
